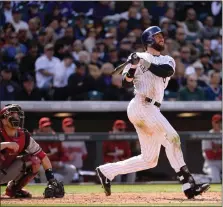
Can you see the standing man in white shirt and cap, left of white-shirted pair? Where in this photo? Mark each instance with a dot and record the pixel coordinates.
(44, 68)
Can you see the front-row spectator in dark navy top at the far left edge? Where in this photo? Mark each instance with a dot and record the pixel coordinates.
(8, 88)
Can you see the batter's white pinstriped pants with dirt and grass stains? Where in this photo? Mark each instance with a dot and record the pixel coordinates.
(153, 131)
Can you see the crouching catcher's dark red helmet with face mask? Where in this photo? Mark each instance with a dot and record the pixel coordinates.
(8, 110)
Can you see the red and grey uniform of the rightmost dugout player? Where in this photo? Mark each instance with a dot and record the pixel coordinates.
(212, 166)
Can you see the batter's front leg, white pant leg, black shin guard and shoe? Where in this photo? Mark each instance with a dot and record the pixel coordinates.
(171, 142)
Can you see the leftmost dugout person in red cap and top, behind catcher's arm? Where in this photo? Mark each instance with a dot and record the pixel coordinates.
(55, 151)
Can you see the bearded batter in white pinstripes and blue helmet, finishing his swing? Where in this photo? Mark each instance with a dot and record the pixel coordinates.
(150, 73)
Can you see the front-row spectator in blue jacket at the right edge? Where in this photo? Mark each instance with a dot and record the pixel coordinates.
(214, 91)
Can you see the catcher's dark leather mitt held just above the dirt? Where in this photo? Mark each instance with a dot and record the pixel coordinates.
(54, 189)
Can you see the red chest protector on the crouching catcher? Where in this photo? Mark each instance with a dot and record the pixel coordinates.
(9, 155)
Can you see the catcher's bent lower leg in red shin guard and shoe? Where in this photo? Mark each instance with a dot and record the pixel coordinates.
(30, 170)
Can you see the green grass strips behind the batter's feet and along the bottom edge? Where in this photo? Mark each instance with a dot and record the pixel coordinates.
(147, 188)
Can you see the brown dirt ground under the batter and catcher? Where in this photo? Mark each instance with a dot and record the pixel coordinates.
(120, 198)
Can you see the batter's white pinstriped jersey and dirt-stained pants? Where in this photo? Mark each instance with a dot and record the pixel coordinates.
(151, 126)
